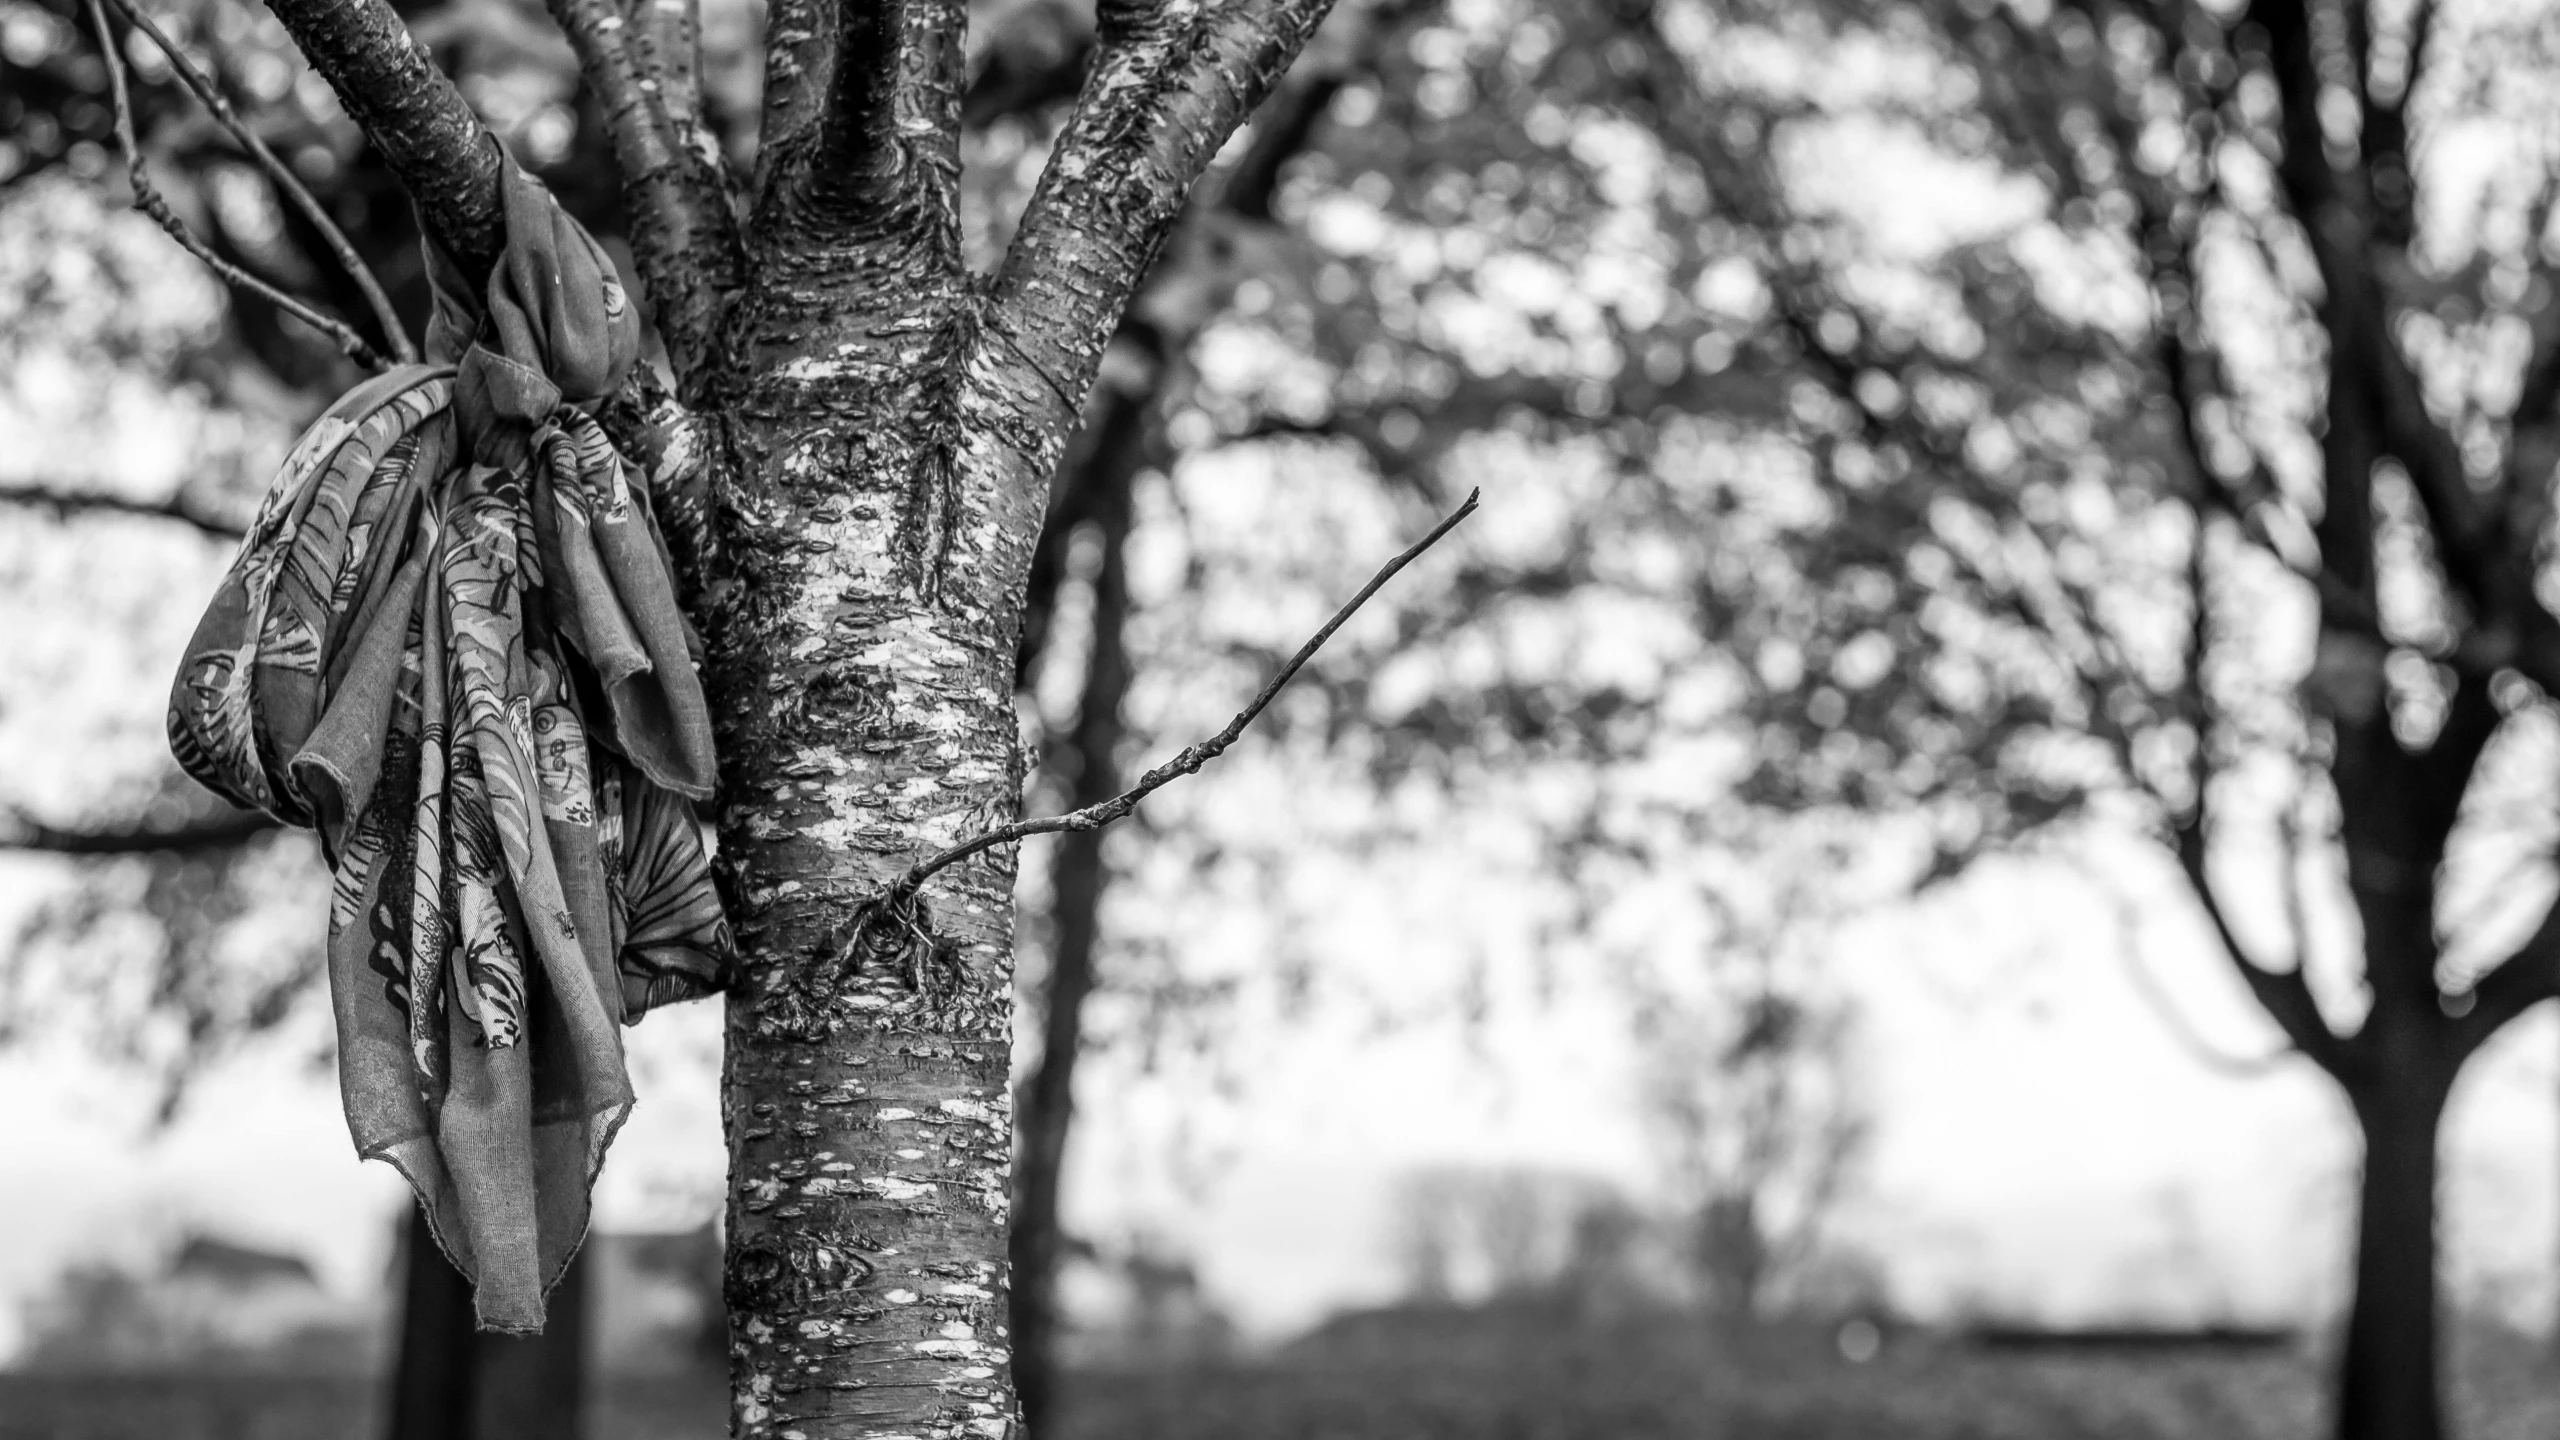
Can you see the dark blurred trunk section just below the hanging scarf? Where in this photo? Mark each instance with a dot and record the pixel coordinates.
(457, 1385)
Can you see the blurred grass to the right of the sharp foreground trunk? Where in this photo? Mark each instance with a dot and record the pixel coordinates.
(1676, 1382)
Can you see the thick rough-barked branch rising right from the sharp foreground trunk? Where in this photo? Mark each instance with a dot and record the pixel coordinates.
(1164, 96)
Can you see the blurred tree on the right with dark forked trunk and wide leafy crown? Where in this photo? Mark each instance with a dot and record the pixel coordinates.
(2190, 475)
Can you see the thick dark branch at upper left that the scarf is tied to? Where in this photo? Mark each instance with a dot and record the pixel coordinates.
(413, 114)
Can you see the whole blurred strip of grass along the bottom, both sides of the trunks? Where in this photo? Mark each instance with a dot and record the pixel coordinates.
(1478, 1380)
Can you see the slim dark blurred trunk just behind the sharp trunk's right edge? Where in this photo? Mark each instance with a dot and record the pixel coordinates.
(1076, 896)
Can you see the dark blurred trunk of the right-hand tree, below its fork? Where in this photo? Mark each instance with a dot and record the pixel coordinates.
(2392, 1359)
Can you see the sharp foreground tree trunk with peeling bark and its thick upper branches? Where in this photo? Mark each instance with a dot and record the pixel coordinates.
(874, 432)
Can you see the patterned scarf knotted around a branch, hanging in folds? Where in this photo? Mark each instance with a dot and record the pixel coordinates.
(452, 647)
